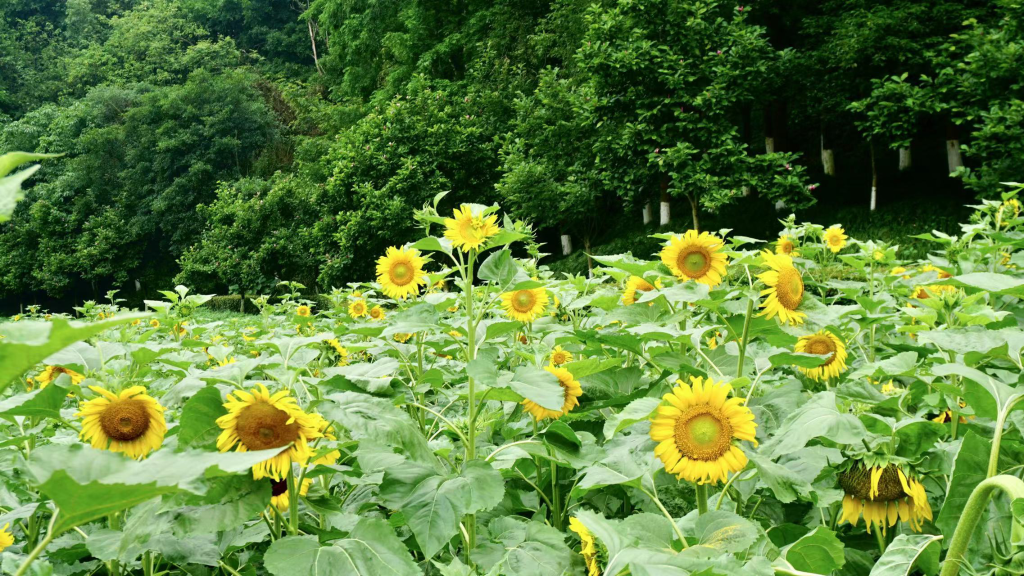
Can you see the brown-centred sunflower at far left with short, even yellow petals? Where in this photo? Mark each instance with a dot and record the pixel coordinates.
(132, 423)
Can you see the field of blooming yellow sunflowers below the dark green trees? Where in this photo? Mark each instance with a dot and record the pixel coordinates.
(729, 406)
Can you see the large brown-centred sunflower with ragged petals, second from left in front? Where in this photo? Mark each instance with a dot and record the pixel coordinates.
(258, 421)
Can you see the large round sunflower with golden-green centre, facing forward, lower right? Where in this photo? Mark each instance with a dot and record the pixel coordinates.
(696, 428)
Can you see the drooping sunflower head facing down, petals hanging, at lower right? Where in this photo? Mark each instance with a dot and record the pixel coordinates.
(883, 495)
